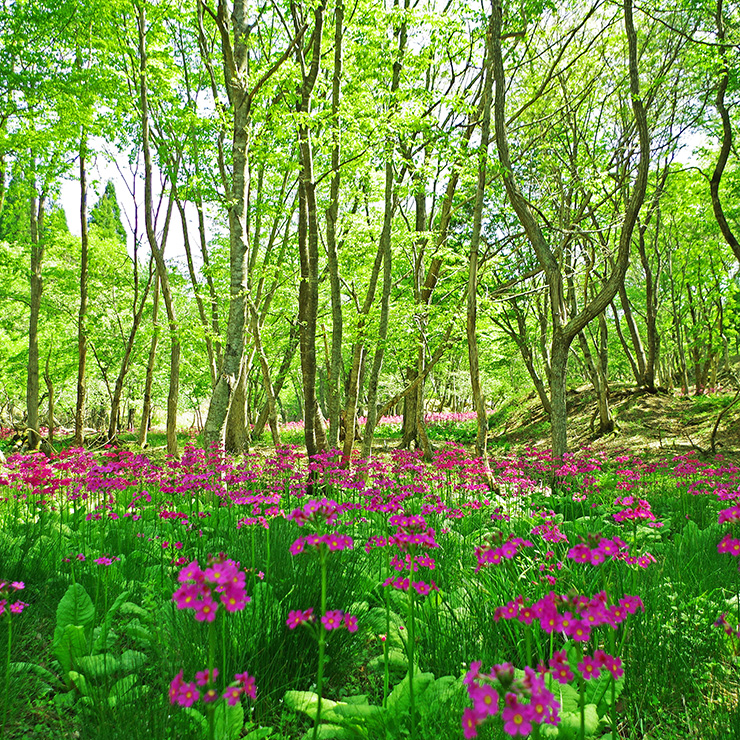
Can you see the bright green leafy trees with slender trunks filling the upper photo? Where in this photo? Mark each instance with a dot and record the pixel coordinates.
(326, 212)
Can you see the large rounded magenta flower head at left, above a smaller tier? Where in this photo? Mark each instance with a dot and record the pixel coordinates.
(222, 577)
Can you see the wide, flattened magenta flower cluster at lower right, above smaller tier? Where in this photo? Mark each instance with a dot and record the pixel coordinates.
(574, 616)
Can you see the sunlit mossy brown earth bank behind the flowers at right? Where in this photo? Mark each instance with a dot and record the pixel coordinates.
(646, 424)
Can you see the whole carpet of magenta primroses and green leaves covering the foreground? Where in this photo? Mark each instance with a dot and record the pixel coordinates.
(272, 596)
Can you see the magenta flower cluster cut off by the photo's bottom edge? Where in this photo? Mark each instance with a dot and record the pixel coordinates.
(526, 700)
